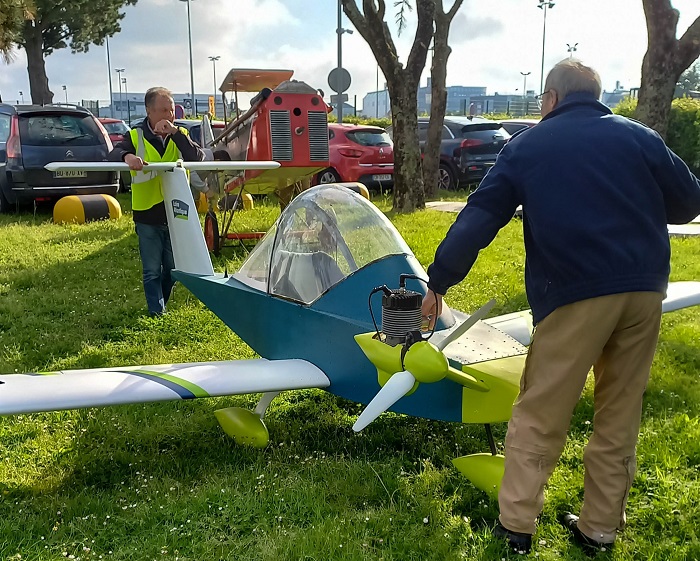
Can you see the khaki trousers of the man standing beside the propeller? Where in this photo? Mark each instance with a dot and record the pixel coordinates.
(617, 335)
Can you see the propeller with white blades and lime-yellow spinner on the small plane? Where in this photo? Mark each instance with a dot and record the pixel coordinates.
(424, 362)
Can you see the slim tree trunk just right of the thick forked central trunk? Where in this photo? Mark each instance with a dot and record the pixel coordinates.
(438, 97)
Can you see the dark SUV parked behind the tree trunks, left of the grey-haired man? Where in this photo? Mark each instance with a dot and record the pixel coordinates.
(468, 148)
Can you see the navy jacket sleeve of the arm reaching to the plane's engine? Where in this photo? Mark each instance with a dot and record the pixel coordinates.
(488, 209)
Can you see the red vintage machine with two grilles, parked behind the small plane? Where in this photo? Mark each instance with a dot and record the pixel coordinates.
(287, 122)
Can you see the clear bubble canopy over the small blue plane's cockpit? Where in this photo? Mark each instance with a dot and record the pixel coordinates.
(325, 234)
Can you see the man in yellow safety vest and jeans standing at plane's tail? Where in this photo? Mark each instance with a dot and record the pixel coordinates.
(156, 139)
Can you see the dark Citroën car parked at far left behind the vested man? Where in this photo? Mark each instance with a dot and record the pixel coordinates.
(31, 136)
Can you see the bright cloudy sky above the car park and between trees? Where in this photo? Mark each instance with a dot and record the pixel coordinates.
(493, 41)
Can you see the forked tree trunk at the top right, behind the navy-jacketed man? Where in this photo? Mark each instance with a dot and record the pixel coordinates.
(664, 62)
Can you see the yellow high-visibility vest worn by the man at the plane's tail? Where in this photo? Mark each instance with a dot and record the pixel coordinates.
(147, 186)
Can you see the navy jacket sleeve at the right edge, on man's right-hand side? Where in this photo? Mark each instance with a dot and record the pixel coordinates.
(680, 187)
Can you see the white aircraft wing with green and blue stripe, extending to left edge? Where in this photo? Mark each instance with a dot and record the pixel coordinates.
(97, 387)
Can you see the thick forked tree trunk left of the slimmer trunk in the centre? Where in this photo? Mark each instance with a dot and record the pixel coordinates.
(402, 84)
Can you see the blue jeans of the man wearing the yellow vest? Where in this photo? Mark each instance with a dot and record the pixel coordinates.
(158, 262)
